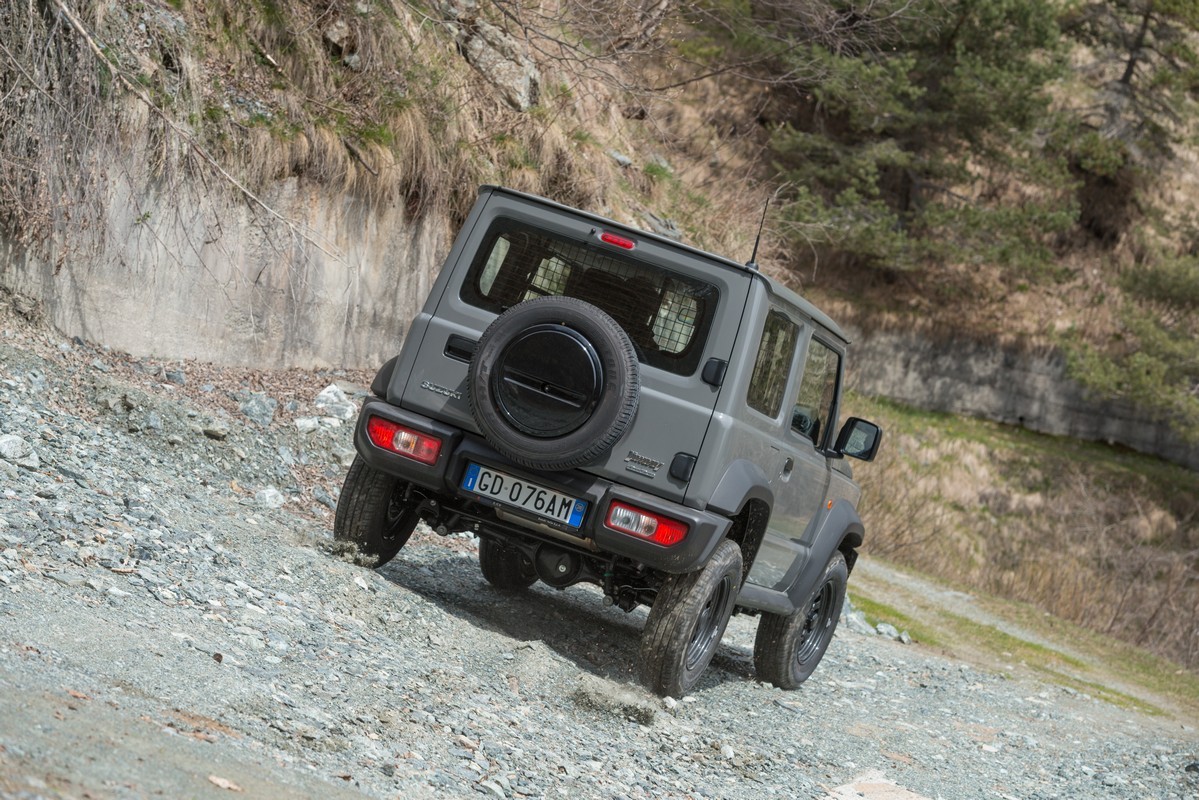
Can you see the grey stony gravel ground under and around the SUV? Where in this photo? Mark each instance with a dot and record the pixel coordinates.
(174, 622)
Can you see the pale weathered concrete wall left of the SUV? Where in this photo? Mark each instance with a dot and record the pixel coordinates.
(196, 274)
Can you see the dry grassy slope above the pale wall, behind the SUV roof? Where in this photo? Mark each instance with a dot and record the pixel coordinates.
(389, 115)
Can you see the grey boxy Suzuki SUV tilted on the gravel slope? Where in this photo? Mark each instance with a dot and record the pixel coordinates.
(602, 405)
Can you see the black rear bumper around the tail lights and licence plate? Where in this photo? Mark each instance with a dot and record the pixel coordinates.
(459, 449)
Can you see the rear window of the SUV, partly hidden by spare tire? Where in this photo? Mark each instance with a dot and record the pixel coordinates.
(665, 314)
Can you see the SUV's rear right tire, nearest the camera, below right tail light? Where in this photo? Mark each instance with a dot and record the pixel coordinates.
(688, 622)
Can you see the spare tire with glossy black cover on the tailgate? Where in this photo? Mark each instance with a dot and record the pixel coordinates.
(555, 383)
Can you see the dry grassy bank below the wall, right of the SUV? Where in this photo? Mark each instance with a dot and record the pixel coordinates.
(1098, 537)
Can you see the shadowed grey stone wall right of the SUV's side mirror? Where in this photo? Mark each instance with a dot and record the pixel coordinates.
(1008, 384)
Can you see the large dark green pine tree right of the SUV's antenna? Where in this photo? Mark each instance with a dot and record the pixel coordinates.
(907, 149)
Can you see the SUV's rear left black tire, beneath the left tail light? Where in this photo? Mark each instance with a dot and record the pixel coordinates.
(375, 514)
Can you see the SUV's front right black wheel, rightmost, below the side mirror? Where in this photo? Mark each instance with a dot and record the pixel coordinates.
(788, 649)
